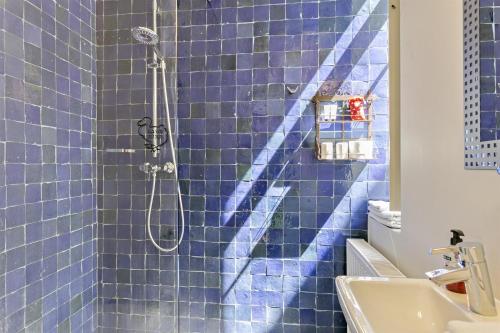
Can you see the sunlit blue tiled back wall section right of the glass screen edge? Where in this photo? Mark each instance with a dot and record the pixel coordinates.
(267, 221)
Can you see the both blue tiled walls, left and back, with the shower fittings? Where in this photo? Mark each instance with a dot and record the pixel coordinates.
(265, 221)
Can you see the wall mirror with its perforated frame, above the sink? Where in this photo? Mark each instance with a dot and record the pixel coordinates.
(482, 84)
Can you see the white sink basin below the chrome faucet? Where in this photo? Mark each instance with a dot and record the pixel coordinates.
(396, 305)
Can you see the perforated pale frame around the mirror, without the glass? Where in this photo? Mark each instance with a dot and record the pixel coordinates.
(478, 155)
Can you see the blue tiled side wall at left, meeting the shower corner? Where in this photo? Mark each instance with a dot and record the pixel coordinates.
(47, 197)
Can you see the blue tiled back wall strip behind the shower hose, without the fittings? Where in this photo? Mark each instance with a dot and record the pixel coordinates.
(136, 284)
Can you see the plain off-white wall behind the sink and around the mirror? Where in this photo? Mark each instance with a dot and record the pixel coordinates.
(437, 193)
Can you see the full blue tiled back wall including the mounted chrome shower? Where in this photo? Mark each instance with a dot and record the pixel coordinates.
(265, 222)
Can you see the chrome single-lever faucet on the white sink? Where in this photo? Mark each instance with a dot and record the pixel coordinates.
(473, 271)
